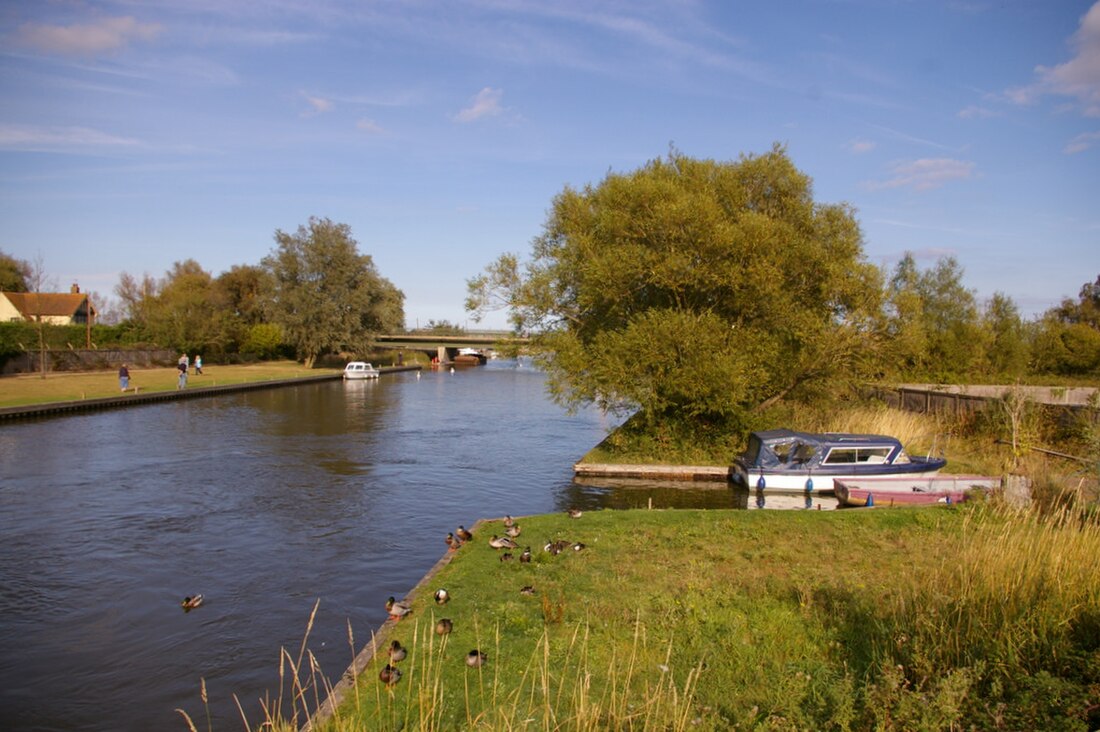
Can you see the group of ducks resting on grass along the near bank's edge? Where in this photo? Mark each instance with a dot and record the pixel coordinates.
(391, 674)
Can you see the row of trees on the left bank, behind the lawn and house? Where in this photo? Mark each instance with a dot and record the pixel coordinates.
(314, 294)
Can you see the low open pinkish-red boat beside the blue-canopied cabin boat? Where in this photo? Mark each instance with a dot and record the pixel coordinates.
(915, 490)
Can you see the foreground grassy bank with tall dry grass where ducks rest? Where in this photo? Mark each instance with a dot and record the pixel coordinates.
(713, 620)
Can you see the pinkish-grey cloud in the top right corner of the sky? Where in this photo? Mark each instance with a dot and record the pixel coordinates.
(1080, 78)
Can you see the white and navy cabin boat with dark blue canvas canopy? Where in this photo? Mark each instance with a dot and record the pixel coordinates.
(789, 462)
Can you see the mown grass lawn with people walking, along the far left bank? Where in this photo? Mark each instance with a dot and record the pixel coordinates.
(67, 387)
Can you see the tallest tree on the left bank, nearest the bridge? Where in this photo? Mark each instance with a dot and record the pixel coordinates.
(325, 294)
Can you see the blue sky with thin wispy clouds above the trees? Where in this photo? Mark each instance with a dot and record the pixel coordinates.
(138, 134)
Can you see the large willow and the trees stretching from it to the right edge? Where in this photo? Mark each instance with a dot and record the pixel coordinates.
(712, 291)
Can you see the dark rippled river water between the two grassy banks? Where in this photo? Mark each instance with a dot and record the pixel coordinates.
(265, 502)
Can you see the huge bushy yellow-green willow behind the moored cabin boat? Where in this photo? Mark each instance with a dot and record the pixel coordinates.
(692, 289)
